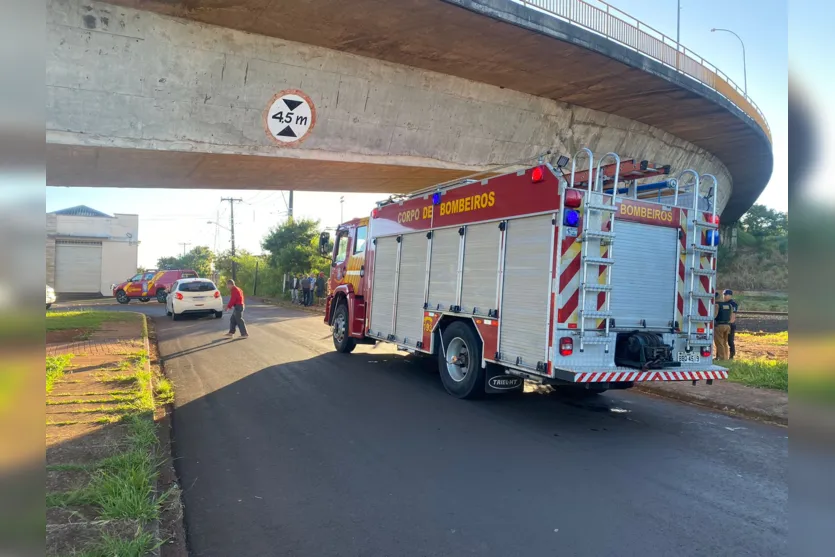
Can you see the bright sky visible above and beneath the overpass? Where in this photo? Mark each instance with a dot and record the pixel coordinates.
(184, 215)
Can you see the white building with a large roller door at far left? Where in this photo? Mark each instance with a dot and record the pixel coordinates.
(87, 250)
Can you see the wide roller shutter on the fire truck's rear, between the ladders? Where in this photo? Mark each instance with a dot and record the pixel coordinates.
(643, 276)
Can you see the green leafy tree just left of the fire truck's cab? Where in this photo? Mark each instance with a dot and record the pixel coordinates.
(293, 247)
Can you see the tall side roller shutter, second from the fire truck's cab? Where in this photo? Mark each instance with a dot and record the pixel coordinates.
(410, 290)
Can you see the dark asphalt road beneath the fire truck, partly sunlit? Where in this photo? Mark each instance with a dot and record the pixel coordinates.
(284, 447)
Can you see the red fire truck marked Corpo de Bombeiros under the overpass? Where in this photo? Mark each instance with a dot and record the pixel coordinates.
(577, 278)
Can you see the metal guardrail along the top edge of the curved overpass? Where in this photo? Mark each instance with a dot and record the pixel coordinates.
(614, 24)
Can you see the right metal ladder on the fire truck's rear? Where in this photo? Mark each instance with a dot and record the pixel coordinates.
(697, 250)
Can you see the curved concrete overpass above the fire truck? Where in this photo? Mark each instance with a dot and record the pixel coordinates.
(406, 93)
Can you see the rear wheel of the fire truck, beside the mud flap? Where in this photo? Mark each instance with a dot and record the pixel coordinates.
(459, 360)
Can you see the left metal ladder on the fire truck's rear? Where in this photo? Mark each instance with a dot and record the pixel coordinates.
(592, 237)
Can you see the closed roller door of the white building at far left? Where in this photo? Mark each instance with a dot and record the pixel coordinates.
(77, 266)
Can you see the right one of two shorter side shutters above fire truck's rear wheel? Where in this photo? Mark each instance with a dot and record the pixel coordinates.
(481, 268)
